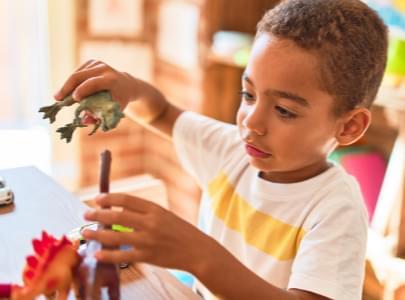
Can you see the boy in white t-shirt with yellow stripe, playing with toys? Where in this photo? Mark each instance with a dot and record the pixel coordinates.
(279, 220)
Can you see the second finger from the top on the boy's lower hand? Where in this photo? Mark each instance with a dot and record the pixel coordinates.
(109, 217)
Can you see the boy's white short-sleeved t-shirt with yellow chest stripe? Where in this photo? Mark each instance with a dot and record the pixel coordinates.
(309, 235)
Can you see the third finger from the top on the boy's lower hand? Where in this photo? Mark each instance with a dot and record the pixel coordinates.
(111, 238)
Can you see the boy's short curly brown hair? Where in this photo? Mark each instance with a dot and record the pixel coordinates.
(348, 37)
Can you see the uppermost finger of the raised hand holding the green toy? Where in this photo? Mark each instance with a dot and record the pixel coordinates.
(78, 78)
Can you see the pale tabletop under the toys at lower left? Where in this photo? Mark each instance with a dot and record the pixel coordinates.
(41, 204)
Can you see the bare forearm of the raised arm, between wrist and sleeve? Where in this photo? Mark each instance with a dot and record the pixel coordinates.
(151, 108)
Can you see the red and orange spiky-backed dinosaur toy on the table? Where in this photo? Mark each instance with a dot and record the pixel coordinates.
(51, 271)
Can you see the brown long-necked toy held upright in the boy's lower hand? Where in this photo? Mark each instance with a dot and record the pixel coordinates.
(94, 275)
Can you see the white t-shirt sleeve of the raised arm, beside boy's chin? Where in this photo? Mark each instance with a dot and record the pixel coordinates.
(203, 145)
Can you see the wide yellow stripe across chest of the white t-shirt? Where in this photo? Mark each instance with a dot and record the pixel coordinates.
(260, 230)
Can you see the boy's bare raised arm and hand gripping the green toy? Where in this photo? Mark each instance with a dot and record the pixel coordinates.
(140, 100)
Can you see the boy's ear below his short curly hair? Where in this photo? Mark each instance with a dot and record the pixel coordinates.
(353, 125)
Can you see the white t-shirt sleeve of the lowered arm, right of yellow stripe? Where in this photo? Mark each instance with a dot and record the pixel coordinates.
(331, 256)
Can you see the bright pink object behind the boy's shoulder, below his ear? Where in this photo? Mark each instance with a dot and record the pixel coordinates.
(369, 170)
